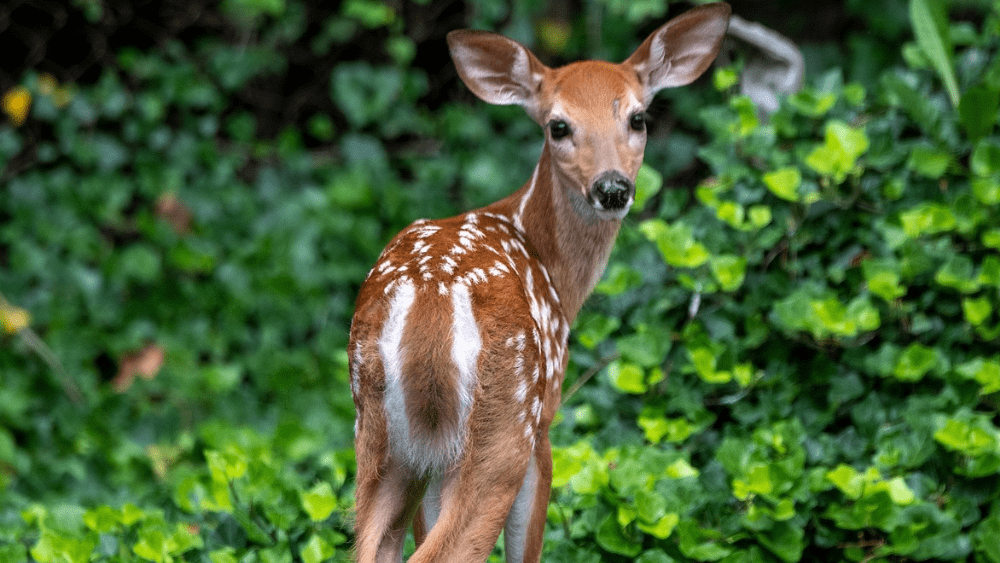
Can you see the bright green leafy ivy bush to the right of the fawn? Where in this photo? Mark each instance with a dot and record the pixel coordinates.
(809, 334)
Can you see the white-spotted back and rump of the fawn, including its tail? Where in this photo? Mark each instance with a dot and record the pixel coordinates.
(457, 325)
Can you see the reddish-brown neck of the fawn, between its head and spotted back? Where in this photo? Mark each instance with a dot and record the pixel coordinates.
(571, 241)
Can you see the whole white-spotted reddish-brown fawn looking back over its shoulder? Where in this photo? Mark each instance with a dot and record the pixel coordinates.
(458, 343)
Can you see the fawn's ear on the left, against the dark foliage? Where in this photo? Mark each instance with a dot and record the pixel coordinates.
(498, 70)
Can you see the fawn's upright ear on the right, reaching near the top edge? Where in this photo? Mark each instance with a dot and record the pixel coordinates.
(682, 49)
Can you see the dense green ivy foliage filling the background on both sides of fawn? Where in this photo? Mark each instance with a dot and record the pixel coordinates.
(792, 355)
